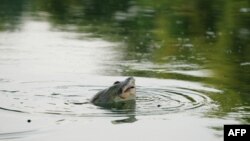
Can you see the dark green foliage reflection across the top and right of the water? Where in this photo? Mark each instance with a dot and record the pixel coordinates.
(199, 34)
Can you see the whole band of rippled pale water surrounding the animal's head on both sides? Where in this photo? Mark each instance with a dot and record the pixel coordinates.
(69, 99)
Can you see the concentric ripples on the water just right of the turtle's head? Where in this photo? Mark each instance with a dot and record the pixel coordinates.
(152, 101)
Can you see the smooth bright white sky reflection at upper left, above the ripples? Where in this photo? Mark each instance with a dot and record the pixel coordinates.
(42, 51)
